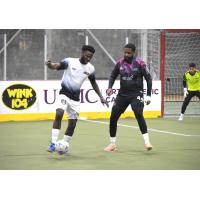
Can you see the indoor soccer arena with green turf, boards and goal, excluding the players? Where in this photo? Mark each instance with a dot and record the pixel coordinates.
(29, 91)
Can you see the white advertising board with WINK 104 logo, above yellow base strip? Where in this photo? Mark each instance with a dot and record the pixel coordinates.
(41, 96)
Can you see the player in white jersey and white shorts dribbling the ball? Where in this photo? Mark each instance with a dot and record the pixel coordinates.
(76, 71)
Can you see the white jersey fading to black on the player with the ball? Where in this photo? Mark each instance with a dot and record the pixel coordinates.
(75, 73)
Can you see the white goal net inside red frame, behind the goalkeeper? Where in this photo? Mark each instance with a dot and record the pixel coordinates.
(182, 48)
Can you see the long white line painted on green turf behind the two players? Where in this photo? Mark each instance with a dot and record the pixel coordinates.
(136, 127)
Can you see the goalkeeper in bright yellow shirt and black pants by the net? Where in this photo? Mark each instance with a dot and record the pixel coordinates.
(191, 84)
